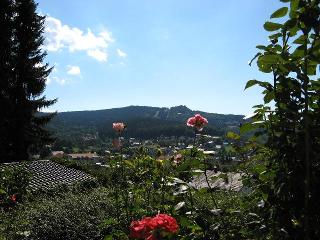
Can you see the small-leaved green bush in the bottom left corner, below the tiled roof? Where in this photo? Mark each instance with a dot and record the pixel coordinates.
(68, 216)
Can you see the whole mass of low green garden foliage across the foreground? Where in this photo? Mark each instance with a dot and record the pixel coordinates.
(134, 188)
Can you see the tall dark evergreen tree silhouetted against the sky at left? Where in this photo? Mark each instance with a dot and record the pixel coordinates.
(26, 83)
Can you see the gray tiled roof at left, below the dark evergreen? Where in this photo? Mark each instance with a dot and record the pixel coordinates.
(46, 174)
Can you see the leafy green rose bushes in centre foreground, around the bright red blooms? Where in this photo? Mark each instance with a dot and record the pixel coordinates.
(144, 186)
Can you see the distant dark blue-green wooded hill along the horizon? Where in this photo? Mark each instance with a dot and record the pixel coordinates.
(143, 122)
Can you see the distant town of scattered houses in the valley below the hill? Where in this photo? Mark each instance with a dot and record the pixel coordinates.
(216, 148)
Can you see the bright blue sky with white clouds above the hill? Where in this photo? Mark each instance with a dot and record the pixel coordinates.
(162, 53)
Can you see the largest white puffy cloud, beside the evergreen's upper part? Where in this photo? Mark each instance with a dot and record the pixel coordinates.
(60, 36)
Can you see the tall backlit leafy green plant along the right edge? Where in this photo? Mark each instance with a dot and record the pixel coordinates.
(288, 177)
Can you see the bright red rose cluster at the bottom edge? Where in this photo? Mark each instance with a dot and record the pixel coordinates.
(149, 227)
